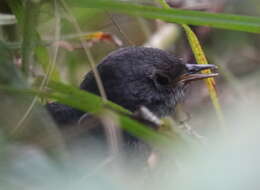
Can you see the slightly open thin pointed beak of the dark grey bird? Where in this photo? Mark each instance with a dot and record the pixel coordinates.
(193, 72)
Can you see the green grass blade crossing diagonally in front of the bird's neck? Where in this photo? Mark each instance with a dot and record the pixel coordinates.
(91, 103)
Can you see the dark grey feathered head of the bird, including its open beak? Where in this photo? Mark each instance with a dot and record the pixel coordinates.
(136, 76)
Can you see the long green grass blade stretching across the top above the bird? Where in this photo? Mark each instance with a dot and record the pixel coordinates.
(216, 20)
